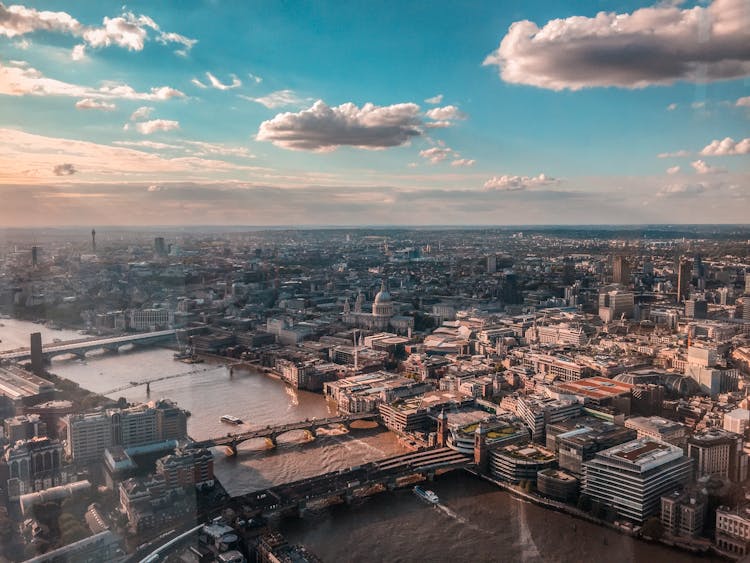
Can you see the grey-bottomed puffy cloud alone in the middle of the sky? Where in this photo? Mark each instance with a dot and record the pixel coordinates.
(324, 128)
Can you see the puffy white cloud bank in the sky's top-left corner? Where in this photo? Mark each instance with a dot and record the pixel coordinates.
(128, 30)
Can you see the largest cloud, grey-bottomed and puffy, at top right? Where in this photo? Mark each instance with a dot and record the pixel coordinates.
(657, 45)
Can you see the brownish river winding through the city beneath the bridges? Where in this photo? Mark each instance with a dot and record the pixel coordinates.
(475, 521)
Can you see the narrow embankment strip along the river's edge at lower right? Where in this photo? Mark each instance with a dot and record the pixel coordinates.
(698, 548)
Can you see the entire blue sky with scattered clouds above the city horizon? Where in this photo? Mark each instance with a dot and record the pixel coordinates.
(374, 113)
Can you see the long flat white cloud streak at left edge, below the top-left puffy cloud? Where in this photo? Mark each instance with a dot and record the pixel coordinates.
(27, 81)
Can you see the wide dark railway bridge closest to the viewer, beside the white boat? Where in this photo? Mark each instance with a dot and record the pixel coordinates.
(348, 484)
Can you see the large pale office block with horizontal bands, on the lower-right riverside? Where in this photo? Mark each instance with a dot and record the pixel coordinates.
(632, 477)
